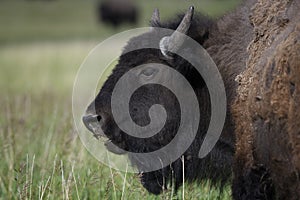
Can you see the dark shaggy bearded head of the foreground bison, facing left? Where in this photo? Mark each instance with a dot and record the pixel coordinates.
(99, 117)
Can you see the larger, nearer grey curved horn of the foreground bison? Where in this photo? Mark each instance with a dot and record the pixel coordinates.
(173, 43)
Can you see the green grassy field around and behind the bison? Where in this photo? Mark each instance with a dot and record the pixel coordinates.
(42, 45)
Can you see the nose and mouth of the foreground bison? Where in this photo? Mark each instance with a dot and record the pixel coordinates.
(93, 124)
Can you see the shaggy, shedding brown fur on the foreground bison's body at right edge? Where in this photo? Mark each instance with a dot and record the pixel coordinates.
(267, 108)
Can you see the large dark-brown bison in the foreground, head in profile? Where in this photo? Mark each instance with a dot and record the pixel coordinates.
(256, 50)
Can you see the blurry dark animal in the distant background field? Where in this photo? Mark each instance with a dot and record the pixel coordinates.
(116, 12)
